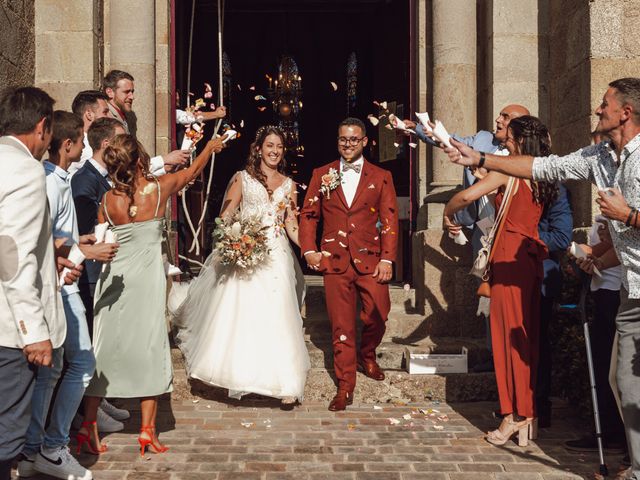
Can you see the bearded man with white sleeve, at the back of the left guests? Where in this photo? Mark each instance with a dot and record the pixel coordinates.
(119, 87)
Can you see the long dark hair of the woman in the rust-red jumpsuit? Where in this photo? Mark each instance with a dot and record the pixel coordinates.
(533, 138)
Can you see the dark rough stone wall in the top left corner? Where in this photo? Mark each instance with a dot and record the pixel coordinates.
(17, 43)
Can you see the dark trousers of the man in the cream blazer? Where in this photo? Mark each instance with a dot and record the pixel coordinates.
(17, 379)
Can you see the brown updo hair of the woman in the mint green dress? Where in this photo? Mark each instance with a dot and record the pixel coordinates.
(124, 158)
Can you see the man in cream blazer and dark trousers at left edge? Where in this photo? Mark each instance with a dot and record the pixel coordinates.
(32, 319)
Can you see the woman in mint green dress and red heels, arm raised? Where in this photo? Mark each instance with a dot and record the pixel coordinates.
(130, 338)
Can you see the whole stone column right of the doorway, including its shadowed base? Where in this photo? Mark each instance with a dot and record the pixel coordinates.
(440, 267)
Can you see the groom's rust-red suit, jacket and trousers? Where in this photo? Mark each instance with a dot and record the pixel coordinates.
(357, 237)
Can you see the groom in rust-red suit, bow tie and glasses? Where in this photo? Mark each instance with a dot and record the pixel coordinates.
(356, 201)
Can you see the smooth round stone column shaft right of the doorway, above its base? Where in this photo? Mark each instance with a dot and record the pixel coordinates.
(454, 78)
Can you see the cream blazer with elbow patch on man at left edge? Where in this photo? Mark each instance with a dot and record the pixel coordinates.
(30, 304)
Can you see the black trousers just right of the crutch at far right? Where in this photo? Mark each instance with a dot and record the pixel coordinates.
(603, 330)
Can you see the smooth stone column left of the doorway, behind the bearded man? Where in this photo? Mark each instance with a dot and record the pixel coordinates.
(132, 49)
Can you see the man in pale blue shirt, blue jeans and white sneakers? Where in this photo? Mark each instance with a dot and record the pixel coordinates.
(47, 451)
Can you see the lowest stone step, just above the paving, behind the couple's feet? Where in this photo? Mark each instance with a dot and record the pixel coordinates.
(398, 387)
